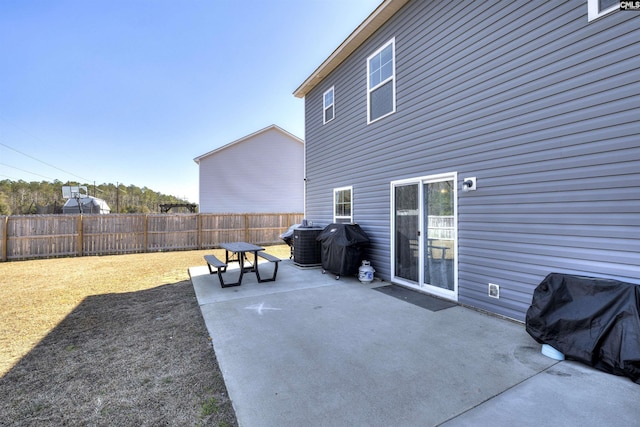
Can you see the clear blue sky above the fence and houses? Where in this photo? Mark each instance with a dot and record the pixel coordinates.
(130, 91)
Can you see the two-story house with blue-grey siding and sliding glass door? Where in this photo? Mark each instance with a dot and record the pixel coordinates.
(535, 105)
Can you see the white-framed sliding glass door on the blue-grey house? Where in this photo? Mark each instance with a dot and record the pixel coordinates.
(421, 285)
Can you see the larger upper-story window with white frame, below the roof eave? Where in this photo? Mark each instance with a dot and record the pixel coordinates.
(381, 85)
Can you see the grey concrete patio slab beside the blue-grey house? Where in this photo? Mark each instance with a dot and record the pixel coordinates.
(314, 351)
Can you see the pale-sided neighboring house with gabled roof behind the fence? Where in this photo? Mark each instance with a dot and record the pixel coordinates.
(260, 173)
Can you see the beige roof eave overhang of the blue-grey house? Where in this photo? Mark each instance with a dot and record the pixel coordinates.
(378, 17)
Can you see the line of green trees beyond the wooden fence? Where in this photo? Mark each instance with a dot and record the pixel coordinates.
(28, 198)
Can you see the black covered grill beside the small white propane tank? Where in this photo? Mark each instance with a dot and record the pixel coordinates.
(342, 247)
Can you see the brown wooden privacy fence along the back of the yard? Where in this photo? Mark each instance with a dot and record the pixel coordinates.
(49, 236)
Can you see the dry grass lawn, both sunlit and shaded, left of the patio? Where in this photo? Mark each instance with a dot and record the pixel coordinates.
(113, 340)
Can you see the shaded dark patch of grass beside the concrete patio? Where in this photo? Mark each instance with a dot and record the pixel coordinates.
(140, 358)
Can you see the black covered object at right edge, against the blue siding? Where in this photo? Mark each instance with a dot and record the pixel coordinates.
(591, 320)
